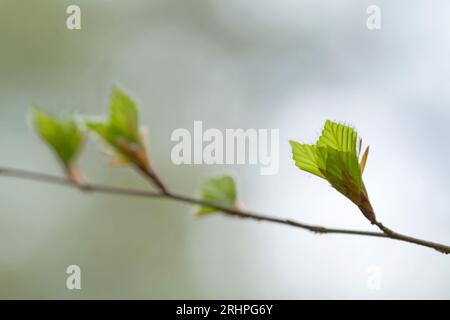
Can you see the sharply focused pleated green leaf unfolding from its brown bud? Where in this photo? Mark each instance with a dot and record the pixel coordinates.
(334, 158)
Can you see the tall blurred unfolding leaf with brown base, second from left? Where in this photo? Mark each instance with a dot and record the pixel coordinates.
(121, 131)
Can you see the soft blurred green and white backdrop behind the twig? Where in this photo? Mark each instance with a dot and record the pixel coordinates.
(286, 64)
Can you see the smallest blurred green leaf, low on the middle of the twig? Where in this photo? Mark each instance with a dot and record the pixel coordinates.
(220, 191)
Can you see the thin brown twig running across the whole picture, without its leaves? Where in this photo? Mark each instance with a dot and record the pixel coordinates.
(164, 194)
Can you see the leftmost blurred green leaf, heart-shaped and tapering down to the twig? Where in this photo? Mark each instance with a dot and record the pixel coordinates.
(62, 135)
